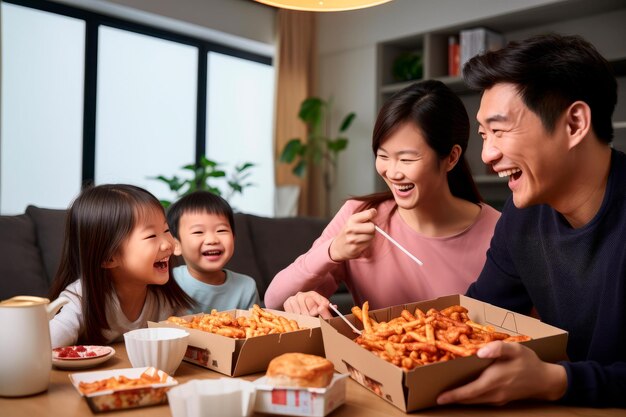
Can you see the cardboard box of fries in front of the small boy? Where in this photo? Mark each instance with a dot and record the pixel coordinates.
(242, 342)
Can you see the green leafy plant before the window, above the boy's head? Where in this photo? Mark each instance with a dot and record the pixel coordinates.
(204, 176)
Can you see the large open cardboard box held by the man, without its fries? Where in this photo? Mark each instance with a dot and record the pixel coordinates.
(419, 387)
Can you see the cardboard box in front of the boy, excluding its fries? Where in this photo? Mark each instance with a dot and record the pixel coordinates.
(236, 357)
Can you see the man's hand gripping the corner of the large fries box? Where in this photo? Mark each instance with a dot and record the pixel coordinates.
(516, 373)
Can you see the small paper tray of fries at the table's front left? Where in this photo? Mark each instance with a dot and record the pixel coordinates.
(120, 389)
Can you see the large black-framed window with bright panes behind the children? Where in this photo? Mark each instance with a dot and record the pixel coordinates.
(88, 98)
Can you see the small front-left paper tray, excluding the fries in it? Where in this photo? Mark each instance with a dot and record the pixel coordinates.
(123, 398)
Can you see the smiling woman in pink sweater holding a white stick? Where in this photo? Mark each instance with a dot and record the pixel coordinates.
(432, 208)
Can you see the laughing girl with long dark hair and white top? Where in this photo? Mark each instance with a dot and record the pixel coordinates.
(115, 267)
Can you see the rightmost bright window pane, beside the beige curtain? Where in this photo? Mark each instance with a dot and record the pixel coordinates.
(239, 126)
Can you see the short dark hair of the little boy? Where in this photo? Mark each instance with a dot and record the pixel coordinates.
(199, 202)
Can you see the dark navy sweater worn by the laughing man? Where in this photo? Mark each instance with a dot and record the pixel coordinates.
(576, 279)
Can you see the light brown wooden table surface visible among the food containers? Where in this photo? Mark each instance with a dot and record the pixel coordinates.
(62, 400)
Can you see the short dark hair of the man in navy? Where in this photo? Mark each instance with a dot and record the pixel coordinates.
(551, 72)
